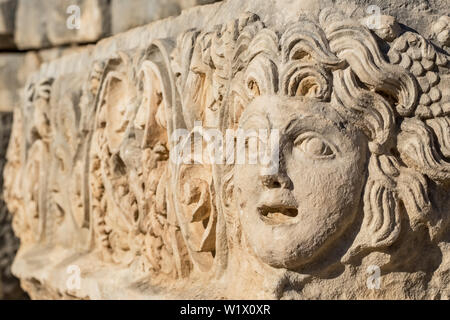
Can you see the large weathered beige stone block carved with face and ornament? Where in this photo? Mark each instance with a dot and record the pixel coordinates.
(356, 178)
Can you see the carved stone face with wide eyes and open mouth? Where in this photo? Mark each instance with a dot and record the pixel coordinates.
(292, 216)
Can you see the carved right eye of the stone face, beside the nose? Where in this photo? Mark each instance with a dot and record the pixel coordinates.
(314, 146)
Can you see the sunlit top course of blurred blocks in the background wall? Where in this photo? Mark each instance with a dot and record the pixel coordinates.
(41, 24)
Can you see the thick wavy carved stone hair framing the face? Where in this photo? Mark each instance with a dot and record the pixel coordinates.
(339, 61)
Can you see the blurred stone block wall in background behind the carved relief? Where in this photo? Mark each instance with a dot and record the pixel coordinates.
(34, 32)
